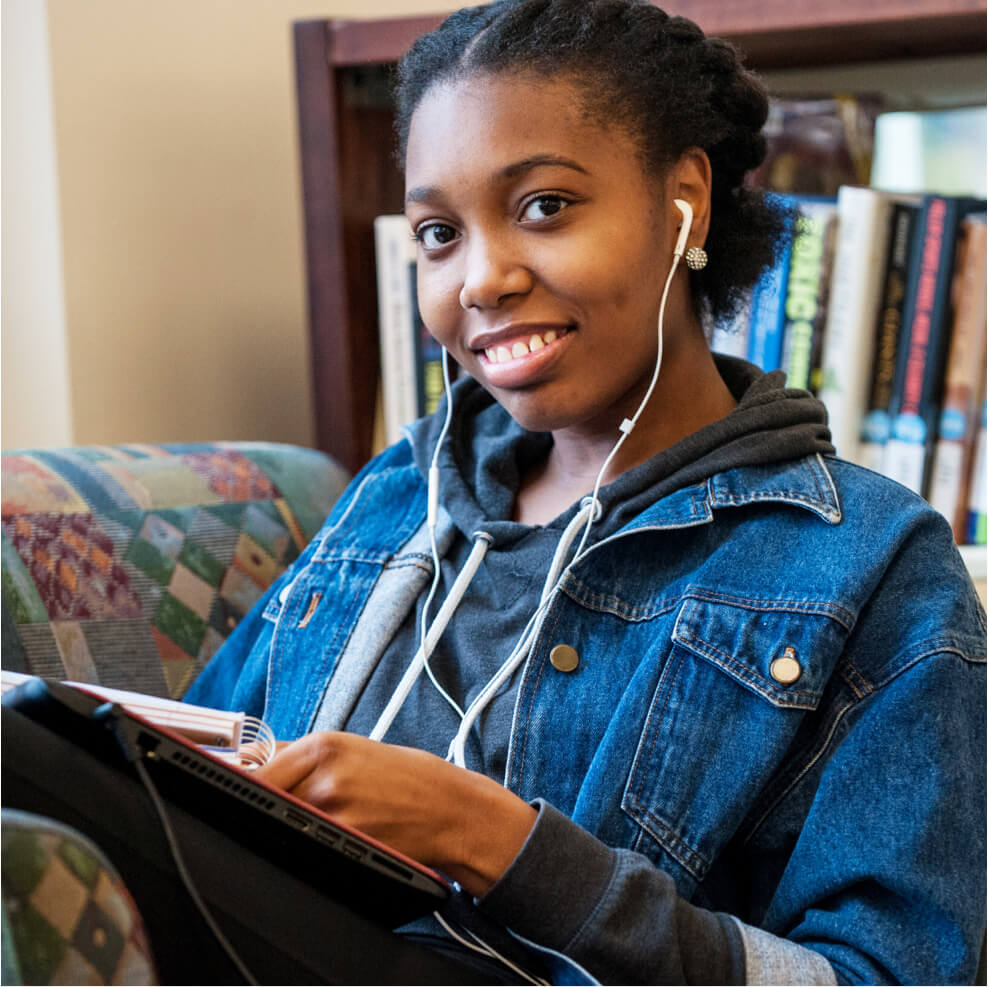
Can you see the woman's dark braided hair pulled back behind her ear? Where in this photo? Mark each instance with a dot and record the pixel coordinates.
(656, 76)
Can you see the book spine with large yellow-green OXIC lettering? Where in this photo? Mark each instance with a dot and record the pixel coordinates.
(805, 300)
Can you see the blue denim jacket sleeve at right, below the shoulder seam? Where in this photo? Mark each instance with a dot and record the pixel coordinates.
(887, 876)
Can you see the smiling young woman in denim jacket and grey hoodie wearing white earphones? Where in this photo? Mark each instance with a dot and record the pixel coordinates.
(702, 702)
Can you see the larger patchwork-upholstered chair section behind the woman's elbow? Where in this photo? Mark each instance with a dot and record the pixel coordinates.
(130, 565)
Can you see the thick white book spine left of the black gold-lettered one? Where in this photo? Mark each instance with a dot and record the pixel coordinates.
(863, 217)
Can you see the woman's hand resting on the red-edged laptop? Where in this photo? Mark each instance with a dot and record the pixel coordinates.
(457, 821)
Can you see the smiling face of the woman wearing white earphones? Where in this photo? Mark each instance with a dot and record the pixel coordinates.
(543, 247)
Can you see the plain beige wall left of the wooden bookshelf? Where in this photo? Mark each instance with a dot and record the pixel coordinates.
(180, 222)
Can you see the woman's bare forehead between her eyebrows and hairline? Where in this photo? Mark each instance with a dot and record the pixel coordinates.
(482, 124)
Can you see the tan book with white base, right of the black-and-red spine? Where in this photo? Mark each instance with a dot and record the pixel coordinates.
(963, 380)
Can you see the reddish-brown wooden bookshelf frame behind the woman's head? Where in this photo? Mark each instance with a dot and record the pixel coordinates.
(349, 176)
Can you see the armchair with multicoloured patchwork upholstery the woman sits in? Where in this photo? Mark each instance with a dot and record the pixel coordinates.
(128, 566)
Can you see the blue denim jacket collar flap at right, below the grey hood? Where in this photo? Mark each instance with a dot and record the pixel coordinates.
(805, 483)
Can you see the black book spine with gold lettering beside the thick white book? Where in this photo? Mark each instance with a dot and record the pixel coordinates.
(876, 424)
